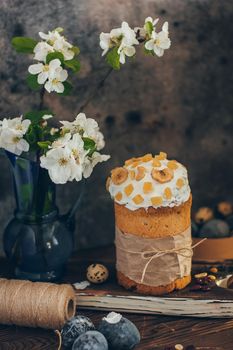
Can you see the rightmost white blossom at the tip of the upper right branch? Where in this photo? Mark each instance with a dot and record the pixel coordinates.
(159, 41)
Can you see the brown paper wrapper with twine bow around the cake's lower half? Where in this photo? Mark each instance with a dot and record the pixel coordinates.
(150, 249)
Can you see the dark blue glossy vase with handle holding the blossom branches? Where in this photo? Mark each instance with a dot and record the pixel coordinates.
(38, 241)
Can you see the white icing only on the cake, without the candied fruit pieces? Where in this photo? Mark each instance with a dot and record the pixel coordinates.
(179, 195)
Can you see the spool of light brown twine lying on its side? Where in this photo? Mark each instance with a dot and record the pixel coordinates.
(36, 304)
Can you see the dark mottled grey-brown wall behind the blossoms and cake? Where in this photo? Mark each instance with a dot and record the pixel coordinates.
(181, 103)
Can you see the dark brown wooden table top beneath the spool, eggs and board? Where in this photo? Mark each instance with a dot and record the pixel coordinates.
(157, 332)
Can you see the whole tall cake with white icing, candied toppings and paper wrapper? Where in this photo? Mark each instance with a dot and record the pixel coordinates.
(153, 226)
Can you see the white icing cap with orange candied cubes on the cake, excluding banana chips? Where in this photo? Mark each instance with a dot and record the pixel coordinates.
(133, 193)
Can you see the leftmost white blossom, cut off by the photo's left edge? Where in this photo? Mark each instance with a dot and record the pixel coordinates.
(12, 132)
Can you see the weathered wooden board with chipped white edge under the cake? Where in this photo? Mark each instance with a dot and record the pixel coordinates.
(110, 296)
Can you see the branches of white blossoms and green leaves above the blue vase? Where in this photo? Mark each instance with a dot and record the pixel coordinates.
(71, 151)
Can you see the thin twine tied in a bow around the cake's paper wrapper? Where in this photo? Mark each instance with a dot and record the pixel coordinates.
(154, 254)
